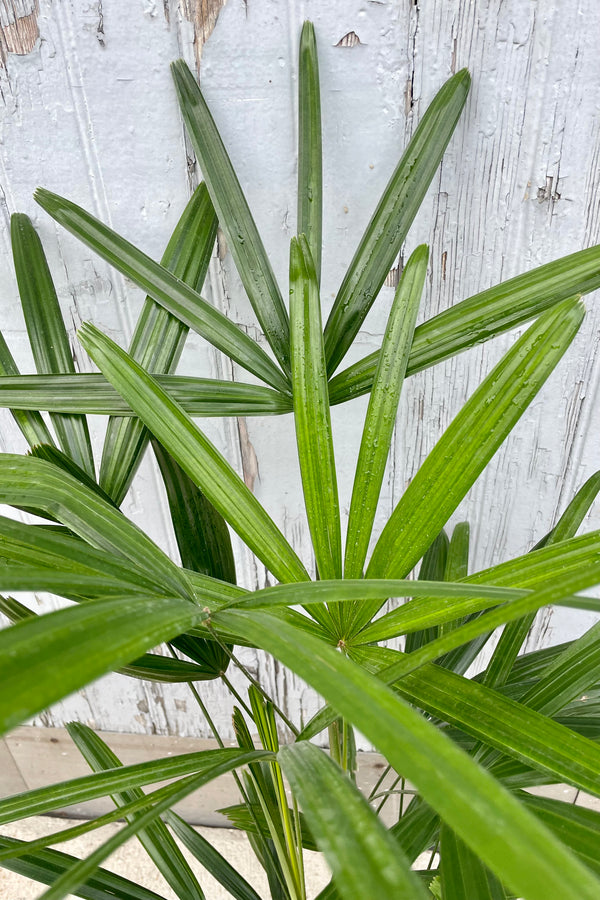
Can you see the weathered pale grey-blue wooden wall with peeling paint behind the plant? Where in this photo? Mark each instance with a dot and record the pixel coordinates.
(88, 111)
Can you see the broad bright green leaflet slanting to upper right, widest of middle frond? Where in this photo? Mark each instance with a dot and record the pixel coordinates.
(471, 440)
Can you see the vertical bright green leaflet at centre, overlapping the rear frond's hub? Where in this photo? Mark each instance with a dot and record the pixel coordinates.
(311, 412)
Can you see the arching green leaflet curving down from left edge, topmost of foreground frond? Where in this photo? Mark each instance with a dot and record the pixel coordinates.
(38, 483)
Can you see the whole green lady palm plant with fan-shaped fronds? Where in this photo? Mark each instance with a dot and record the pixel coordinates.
(470, 747)
